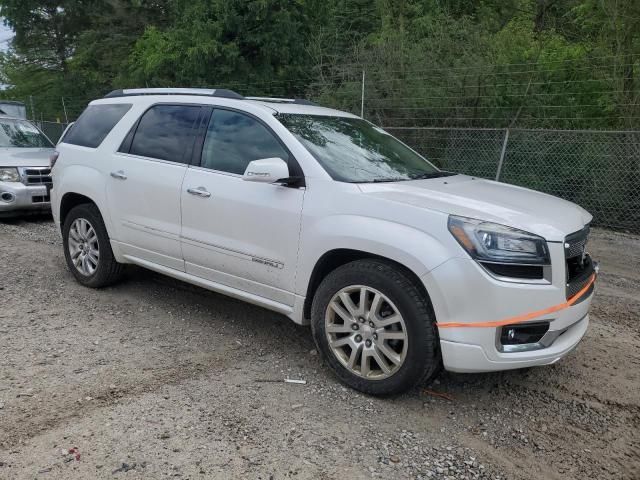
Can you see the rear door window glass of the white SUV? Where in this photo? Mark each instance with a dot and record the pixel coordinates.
(166, 132)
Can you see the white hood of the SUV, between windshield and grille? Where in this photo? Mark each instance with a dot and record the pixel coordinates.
(550, 217)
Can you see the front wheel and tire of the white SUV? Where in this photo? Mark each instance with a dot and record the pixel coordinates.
(411, 357)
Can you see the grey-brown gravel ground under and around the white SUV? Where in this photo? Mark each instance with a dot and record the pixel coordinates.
(154, 378)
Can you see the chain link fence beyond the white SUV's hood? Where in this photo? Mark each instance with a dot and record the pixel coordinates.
(599, 170)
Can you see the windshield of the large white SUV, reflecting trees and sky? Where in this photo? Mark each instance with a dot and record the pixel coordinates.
(354, 150)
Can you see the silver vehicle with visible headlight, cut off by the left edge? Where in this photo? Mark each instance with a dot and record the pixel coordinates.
(25, 173)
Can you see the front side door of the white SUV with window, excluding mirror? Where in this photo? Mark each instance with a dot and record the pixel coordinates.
(240, 234)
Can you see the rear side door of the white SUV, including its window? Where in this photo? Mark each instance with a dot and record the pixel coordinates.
(146, 175)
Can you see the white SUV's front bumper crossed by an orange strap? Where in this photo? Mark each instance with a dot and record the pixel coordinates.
(462, 292)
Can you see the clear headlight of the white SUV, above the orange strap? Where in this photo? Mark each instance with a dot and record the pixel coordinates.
(491, 242)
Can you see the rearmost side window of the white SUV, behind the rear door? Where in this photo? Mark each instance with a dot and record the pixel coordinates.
(95, 123)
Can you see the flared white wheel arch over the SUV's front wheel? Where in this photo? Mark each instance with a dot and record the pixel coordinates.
(419, 251)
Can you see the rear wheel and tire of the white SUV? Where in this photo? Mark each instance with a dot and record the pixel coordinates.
(99, 270)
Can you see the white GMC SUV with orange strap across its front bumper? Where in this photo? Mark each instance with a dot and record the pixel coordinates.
(398, 266)
